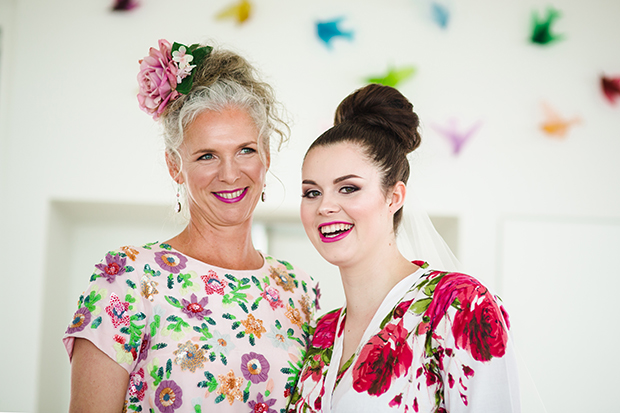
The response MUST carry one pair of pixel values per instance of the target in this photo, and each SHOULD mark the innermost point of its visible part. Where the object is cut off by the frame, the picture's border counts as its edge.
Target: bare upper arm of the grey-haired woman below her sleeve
(98, 383)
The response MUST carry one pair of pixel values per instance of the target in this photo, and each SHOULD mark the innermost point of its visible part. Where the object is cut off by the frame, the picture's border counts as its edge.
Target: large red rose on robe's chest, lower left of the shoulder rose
(386, 356)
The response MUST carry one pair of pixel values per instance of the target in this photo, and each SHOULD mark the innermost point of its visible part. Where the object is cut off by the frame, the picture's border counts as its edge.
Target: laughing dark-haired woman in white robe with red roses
(410, 338)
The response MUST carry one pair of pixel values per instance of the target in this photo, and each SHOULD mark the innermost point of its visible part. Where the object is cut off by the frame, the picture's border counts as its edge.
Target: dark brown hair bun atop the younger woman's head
(383, 107)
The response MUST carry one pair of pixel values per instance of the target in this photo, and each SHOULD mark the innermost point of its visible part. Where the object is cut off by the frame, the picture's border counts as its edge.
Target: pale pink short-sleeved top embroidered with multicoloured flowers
(194, 337)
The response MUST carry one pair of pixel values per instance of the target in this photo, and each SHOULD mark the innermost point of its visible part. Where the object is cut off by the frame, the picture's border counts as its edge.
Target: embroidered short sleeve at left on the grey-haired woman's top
(110, 313)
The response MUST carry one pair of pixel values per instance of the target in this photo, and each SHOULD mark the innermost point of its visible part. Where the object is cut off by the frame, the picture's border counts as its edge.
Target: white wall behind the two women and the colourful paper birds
(72, 138)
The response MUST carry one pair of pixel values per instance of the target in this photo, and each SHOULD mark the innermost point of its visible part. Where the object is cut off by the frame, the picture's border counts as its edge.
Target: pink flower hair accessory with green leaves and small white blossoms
(166, 73)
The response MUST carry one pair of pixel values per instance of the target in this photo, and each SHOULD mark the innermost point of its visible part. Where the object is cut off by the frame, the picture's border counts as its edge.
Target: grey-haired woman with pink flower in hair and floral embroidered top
(203, 321)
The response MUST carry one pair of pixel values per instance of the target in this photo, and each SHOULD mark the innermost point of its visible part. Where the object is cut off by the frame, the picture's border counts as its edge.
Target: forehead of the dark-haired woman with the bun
(333, 161)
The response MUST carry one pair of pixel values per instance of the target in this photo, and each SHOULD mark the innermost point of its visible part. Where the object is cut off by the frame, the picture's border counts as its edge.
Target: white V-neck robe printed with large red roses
(438, 343)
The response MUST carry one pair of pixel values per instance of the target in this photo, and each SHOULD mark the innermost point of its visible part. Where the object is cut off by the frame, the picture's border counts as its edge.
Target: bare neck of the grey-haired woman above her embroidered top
(225, 247)
